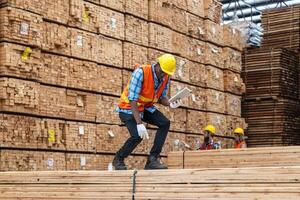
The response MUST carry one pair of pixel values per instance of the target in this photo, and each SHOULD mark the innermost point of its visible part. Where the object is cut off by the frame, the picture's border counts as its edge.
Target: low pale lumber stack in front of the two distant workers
(235, 158)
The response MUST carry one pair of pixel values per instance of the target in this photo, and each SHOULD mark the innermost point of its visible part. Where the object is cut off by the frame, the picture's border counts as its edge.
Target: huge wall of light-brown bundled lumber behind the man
(64, 65)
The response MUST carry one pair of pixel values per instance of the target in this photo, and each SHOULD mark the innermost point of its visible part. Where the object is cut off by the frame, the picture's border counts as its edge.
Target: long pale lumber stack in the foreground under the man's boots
(219, 183)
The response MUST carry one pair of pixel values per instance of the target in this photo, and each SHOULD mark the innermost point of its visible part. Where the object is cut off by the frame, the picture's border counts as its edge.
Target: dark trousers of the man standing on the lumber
(157, 119)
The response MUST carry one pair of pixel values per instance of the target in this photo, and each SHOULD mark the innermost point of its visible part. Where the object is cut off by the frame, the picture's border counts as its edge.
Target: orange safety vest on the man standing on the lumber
(147, 96)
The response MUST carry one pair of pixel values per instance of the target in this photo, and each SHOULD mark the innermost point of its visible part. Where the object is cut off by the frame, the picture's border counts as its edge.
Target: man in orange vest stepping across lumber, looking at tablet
(148, 85)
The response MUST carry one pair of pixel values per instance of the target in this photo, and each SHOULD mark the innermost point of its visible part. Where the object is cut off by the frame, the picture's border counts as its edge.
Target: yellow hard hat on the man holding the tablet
(167, 63)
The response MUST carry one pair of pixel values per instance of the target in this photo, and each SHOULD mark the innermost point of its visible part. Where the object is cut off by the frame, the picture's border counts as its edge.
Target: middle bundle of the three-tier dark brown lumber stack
(269, 73)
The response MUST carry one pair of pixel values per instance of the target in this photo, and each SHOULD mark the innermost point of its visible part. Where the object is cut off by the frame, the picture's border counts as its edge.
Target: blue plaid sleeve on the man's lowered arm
(135, 85)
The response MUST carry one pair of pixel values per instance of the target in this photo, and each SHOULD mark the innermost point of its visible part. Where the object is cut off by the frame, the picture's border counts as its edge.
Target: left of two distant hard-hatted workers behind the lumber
(208, 143)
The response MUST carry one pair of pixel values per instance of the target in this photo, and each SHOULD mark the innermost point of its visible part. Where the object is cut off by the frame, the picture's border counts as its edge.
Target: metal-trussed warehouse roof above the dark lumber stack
(250, 10)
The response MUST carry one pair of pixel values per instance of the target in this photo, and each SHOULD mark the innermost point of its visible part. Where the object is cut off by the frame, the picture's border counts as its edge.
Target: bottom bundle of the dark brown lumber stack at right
(272, 122)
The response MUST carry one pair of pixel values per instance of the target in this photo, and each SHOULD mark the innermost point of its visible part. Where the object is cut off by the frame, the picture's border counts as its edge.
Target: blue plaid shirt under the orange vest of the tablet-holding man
(135, 88)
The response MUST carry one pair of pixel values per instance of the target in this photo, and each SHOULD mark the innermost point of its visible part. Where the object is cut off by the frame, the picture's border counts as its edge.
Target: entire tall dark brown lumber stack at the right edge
(271, 74)
